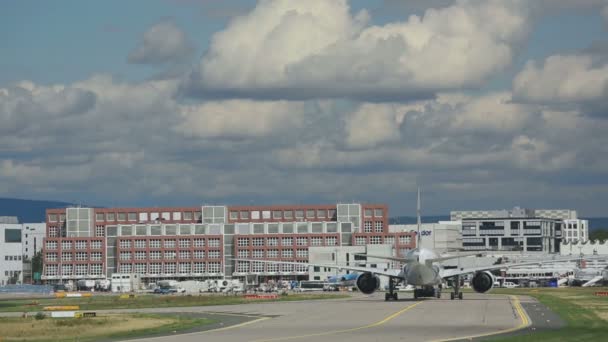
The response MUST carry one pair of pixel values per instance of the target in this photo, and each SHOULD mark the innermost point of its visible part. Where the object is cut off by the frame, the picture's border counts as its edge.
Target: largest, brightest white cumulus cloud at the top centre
(317, 48)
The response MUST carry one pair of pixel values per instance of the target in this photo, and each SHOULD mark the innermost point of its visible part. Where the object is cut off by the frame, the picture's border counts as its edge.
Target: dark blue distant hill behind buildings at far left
(28, 211)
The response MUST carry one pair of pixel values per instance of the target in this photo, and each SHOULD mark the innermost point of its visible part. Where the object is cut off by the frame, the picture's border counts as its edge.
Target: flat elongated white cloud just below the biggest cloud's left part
(240, 118)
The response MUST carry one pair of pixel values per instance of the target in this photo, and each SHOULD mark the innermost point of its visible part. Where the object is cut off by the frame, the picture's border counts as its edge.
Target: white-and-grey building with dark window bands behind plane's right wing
(518, 229)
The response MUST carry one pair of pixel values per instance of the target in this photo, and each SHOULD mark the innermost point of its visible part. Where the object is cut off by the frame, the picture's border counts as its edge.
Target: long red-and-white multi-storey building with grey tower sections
(201, 242)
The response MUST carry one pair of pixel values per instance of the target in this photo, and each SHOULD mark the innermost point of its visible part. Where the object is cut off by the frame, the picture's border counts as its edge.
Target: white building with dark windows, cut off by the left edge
(11, 263)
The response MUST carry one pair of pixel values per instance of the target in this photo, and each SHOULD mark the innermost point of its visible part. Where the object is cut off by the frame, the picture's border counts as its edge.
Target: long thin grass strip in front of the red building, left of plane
(101, 302)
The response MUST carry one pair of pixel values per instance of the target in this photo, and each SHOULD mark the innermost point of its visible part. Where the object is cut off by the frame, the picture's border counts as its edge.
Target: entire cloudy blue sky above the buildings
(484, 104)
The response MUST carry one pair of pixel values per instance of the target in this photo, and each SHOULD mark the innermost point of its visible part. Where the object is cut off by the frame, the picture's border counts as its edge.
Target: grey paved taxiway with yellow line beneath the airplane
(363, 318)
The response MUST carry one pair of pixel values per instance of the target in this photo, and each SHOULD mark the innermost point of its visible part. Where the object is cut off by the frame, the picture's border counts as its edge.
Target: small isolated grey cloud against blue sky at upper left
(161, 44)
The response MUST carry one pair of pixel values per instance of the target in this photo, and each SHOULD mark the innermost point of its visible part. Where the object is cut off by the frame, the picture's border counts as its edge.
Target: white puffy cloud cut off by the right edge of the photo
(562, 79)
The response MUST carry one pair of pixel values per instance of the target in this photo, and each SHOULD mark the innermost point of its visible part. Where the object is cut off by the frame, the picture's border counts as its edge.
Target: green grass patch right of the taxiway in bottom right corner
(585, 314)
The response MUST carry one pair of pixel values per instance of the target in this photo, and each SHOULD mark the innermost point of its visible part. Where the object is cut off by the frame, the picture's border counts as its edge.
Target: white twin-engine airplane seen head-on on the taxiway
(422, 270)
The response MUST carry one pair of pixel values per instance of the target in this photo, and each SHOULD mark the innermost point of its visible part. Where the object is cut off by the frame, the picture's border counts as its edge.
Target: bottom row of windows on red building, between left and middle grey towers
(196, 267)
